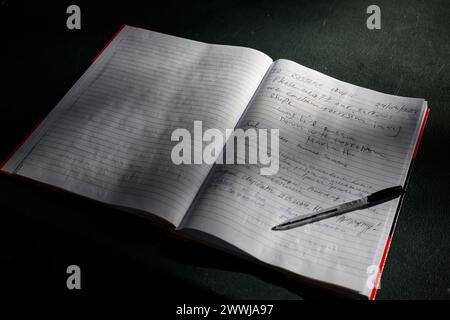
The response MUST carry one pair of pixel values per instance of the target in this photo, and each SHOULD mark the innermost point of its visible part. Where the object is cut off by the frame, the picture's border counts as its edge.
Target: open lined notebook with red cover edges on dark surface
(108, 139)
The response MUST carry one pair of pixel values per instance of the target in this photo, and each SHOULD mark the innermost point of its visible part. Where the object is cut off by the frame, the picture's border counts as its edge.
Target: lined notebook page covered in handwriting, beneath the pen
(338, 142)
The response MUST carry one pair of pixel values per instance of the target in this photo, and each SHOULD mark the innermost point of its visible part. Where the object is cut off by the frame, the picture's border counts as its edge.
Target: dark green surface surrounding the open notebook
(42, 232)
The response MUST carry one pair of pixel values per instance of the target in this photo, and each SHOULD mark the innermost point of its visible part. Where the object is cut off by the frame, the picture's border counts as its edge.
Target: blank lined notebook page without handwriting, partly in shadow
(109, 138)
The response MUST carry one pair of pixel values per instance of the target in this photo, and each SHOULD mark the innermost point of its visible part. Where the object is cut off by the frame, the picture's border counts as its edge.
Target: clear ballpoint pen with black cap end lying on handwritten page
(366, 202)
